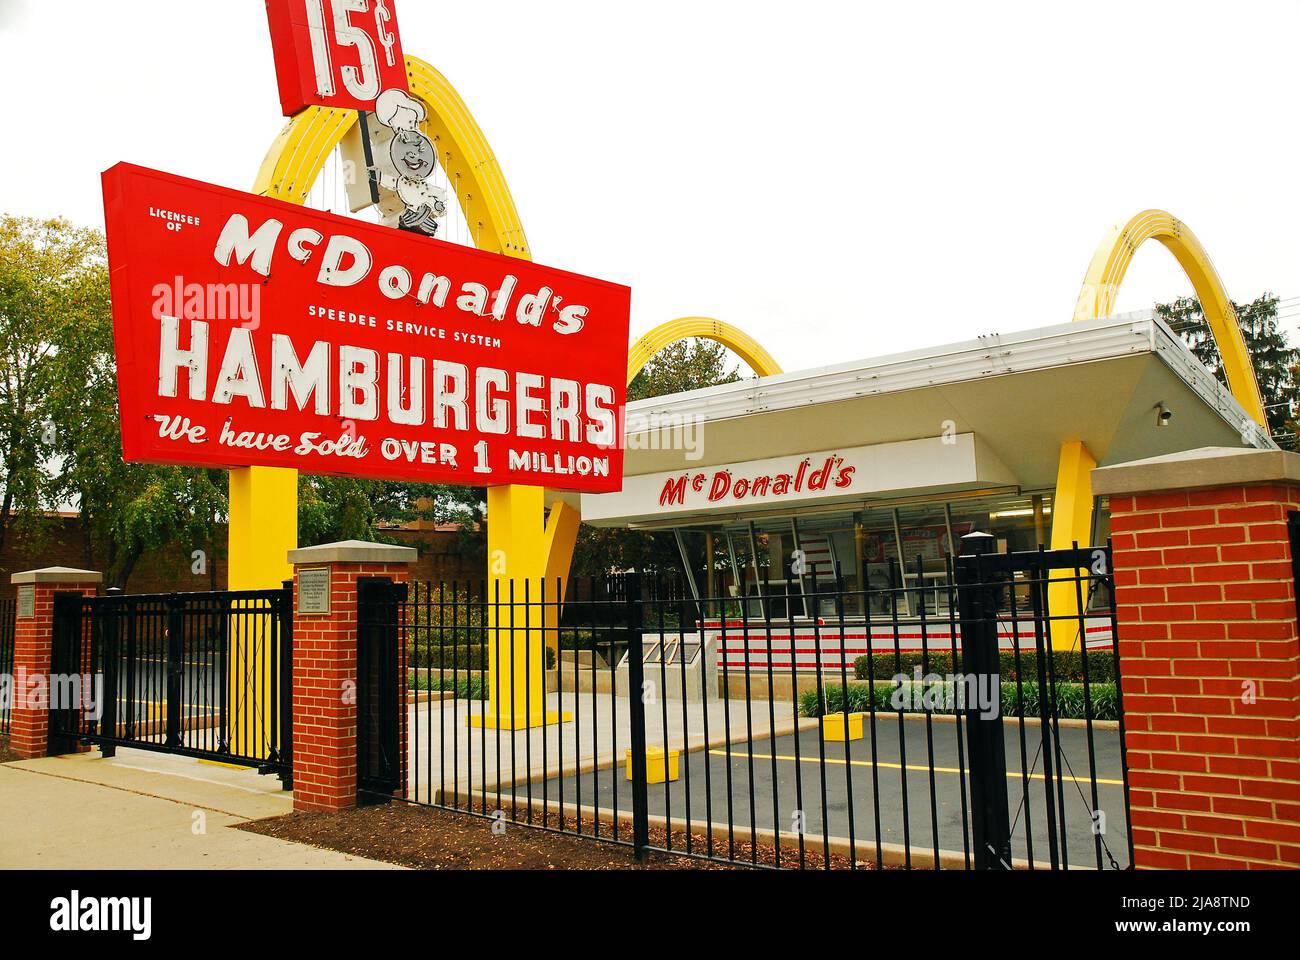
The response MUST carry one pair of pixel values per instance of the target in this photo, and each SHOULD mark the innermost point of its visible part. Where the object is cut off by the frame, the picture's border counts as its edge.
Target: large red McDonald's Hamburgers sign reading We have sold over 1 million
(253, 332)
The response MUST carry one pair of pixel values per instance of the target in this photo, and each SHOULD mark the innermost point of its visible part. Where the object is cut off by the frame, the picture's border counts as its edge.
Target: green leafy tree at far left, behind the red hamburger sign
(59, 408)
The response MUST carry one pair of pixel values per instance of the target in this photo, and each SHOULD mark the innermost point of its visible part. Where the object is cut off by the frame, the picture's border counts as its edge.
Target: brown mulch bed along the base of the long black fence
(431, 838)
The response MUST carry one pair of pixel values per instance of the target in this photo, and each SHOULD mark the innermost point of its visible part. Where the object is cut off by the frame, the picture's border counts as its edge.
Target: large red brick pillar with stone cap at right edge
(1210, 651)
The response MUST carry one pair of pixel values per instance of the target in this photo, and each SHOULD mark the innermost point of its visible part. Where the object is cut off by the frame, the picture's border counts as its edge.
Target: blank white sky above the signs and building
(840, 180)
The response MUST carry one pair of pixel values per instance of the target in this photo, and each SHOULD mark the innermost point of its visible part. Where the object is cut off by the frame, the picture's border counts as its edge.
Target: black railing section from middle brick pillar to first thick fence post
(487, 746)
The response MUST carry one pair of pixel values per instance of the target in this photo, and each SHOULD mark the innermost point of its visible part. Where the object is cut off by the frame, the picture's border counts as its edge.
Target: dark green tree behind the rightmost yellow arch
(1273, 358)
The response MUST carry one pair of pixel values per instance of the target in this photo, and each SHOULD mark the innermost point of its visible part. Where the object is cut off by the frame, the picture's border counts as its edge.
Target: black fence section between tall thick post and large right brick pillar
(1015, 590)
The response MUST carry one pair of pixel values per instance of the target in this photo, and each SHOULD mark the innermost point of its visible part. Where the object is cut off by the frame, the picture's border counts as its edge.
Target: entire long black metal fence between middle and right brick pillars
(972, 719)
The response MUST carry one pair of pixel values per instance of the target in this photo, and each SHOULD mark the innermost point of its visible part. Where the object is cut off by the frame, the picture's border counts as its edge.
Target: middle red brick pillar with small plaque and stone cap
(326, 667)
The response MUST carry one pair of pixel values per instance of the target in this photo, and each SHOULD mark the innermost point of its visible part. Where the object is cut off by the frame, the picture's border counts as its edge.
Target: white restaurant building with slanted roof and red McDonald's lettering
(873, 472)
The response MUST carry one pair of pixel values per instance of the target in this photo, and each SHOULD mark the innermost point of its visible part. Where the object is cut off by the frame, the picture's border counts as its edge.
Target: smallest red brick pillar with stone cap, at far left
(33, 635)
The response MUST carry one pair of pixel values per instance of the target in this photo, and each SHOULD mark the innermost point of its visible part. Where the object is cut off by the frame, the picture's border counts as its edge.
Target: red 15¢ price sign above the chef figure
(336, 53)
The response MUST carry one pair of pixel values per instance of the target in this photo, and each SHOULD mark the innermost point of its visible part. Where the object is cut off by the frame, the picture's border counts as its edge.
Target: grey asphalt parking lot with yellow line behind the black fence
(909, 789)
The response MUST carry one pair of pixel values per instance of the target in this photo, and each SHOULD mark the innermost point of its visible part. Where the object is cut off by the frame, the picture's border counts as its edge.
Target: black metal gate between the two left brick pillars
(200, 674)
